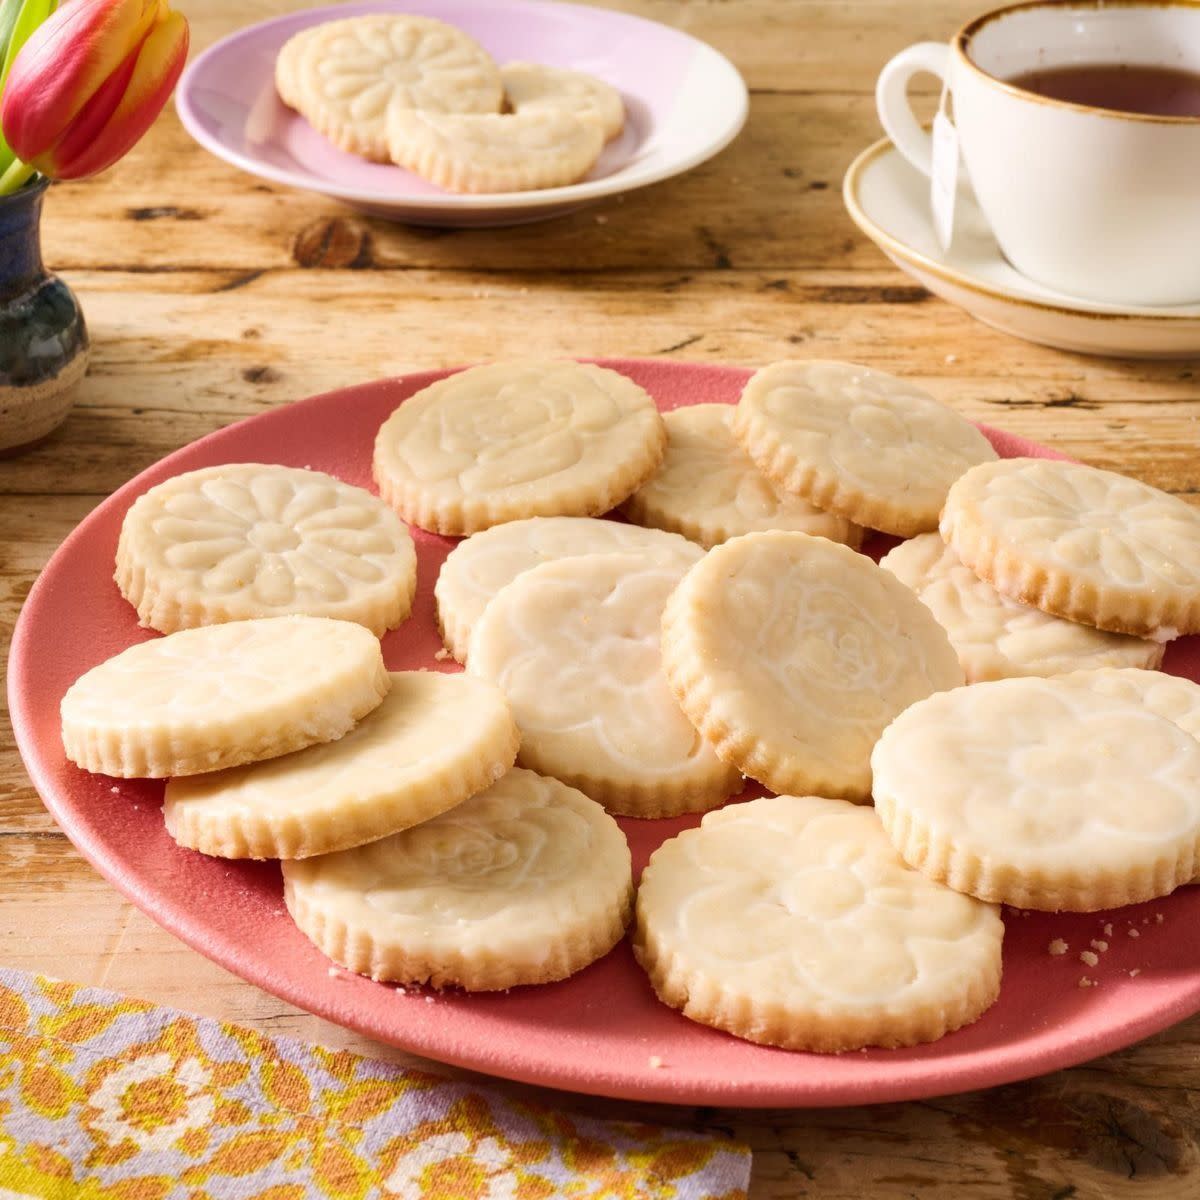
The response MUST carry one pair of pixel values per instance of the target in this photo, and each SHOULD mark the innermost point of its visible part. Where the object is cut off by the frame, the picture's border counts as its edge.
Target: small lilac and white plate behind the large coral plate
(683, 101)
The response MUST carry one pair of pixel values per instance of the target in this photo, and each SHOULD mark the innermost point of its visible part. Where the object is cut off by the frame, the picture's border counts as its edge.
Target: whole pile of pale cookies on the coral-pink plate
(645, 669)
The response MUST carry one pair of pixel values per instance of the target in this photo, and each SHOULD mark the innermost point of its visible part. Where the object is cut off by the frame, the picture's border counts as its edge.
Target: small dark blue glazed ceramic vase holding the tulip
(44, 341)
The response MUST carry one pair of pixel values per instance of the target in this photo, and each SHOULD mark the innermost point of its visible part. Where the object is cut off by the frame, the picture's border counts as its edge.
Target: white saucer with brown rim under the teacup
(889, 200)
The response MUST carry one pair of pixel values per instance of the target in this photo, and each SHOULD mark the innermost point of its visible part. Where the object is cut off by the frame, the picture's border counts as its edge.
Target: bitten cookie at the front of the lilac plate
(495, 153)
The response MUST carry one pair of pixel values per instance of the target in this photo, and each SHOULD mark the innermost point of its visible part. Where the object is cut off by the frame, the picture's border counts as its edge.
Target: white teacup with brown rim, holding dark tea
(1093, 202)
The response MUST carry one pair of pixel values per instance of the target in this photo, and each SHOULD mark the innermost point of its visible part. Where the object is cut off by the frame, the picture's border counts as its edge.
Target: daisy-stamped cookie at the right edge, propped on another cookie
(1079, 543)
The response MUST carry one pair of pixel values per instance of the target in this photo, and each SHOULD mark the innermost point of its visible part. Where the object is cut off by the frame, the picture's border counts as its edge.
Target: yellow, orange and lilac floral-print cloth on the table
(110, 1099)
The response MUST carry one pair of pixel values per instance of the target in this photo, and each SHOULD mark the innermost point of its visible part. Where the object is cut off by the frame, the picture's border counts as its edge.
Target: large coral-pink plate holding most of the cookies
(598, 1031)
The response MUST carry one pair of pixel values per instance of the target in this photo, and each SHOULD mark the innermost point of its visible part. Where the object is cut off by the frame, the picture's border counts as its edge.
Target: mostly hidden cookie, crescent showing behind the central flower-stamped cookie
(484, 563)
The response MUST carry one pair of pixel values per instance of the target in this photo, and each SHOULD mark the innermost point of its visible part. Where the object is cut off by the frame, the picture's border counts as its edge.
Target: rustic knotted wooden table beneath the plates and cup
(212, 296)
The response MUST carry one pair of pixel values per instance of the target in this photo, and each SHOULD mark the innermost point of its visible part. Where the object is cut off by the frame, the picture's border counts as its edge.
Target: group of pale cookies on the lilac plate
(427, 97)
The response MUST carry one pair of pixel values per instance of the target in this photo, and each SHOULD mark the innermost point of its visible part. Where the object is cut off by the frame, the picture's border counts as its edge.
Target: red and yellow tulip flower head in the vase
(88, 83)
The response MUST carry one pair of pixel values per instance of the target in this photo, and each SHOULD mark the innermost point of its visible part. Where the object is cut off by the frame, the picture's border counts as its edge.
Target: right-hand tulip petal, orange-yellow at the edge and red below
(124, 109)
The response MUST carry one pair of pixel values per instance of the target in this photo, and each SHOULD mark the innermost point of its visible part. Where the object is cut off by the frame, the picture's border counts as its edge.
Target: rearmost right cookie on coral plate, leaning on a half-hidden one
(865, 445)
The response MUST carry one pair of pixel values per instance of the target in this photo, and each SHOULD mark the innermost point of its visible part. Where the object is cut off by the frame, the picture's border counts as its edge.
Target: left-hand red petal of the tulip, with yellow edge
(64, 64)
